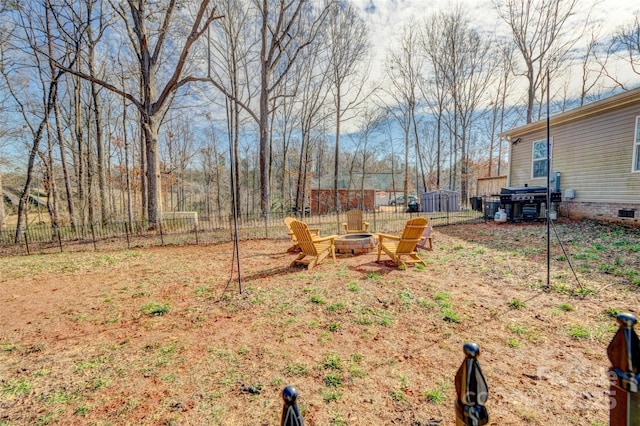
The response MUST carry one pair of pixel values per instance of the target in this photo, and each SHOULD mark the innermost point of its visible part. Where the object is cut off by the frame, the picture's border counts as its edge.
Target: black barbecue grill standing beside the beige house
(526, 202)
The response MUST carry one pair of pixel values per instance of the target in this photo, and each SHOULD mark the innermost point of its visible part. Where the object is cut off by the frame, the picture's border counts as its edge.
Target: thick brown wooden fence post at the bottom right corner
(624, 374)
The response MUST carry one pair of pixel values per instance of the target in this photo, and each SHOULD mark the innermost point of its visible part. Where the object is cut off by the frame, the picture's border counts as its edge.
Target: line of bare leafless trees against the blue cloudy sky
(120, 110)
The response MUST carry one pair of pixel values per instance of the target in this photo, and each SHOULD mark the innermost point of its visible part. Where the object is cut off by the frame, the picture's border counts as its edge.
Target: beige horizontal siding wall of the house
(593, 151)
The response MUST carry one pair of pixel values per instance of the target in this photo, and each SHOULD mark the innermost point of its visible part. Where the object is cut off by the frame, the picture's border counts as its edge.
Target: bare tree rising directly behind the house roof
(539, 29)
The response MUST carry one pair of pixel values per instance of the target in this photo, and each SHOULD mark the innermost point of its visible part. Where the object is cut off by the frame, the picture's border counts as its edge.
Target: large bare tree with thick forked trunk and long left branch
(147, 26)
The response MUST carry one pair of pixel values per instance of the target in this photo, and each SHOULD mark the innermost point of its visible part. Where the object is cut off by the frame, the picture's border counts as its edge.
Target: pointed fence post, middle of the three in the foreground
(472, 390)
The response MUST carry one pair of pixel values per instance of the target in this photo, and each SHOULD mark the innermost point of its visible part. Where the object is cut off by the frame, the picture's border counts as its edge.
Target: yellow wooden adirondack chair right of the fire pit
(402, 249)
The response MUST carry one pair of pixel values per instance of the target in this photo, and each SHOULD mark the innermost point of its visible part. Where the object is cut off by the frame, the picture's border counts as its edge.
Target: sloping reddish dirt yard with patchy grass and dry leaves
(162, 336)
